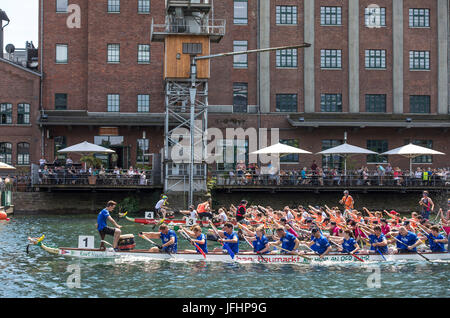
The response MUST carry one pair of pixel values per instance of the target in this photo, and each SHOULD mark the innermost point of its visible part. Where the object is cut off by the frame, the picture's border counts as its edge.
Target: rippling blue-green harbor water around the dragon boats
(39, 274)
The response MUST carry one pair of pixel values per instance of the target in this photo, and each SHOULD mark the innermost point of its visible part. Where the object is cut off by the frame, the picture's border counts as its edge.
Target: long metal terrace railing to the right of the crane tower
(223, 178)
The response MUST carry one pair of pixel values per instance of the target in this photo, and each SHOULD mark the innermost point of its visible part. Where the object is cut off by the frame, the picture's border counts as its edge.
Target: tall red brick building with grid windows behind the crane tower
(381, 74)
